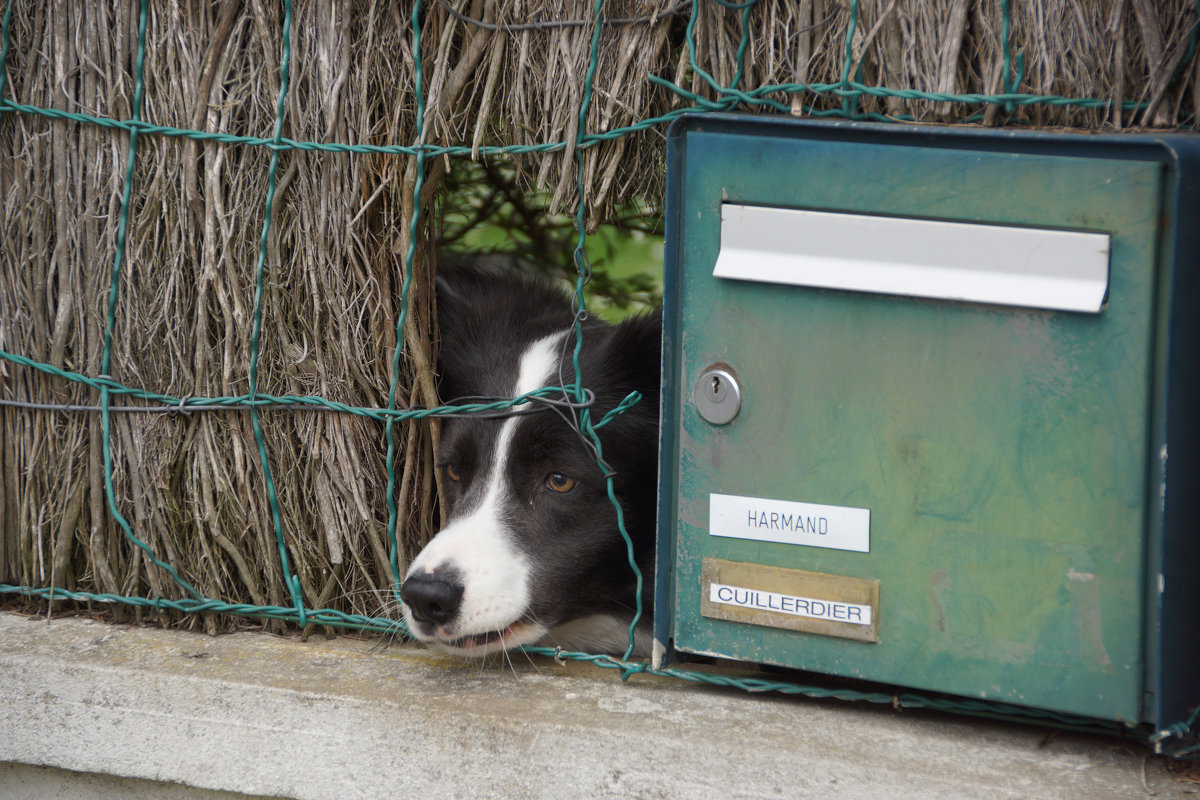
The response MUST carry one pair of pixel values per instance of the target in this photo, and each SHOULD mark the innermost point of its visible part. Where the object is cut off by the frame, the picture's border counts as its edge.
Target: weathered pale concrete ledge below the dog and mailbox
(268, 717)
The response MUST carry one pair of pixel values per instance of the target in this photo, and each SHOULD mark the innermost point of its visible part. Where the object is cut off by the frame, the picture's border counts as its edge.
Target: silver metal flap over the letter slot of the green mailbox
(1034, 268)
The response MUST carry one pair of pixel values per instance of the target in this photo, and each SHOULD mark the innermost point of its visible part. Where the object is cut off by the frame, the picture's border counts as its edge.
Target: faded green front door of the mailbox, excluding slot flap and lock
(1001, 453)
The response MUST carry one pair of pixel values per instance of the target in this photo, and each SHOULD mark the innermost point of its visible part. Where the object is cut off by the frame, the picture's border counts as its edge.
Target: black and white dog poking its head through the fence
(532, 554)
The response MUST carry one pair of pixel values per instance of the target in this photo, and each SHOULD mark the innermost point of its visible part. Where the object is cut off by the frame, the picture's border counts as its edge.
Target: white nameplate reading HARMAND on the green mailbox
(839, 528)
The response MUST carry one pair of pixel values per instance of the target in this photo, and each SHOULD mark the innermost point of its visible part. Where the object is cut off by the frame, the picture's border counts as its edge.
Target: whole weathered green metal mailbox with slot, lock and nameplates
(931, 411)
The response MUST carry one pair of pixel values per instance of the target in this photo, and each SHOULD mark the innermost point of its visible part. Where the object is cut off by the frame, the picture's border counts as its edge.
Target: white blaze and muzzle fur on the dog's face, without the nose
(479, 548)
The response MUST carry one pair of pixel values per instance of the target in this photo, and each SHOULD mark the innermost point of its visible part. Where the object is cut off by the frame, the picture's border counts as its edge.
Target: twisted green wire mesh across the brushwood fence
(849, 91)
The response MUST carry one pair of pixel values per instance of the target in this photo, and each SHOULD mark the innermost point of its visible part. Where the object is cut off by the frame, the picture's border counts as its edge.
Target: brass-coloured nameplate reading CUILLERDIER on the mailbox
(796, 600)
